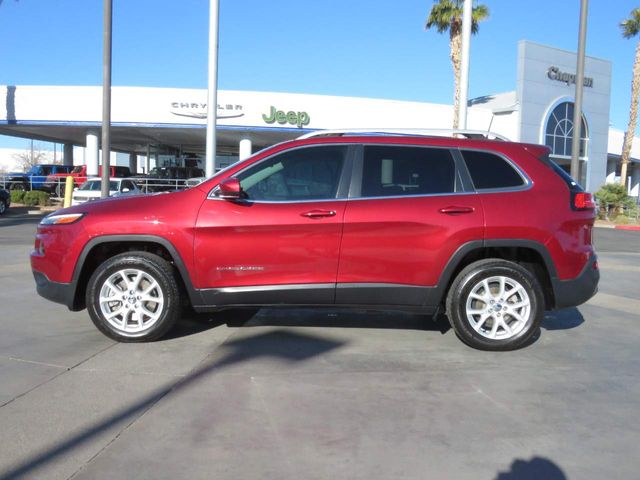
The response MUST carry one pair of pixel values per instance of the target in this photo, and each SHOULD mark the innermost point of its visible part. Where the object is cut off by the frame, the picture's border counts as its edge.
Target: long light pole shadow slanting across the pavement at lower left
(286, 346)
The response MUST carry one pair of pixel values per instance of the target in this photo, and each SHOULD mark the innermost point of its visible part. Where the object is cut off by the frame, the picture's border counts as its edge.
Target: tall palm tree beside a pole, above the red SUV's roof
(446, 15)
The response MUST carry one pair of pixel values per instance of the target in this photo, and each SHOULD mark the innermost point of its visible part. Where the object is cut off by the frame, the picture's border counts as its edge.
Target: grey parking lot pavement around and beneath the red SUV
(326, 394)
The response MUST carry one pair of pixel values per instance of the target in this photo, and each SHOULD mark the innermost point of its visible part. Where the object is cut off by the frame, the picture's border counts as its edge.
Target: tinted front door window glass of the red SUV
(311, 173)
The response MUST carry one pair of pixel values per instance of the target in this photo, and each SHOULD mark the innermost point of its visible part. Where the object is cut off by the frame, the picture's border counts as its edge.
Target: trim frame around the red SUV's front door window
(343, 182)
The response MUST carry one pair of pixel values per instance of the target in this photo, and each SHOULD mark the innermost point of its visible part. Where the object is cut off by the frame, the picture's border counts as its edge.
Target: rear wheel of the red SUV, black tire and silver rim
(496, 312)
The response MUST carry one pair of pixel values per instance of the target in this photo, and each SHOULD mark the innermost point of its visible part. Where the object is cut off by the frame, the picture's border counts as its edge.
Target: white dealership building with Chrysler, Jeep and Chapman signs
(166, 126)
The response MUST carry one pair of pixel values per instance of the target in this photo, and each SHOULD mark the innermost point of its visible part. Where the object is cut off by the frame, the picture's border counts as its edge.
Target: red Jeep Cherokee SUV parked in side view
(493, 232)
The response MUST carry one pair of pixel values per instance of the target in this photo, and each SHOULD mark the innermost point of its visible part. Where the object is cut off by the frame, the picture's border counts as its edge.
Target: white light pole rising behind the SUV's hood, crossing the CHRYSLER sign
(212, 89)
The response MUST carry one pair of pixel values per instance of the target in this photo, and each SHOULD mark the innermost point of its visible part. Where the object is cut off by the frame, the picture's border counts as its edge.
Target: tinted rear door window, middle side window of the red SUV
(390, 171)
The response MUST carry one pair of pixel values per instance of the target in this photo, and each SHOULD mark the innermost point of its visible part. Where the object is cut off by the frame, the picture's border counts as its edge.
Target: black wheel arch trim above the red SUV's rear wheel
(437, 294)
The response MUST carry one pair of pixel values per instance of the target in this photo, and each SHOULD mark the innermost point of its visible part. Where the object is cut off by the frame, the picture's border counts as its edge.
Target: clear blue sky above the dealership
(367, 48)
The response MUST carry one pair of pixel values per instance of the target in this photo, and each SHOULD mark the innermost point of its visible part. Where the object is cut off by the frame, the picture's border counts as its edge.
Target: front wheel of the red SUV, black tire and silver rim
(152, 267)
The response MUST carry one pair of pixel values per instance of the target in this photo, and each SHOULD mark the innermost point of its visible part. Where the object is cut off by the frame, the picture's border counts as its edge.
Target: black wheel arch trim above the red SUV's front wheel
(194, 294)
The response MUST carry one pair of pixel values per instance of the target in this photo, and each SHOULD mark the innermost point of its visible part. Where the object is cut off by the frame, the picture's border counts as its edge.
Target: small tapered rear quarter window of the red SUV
(488, 171)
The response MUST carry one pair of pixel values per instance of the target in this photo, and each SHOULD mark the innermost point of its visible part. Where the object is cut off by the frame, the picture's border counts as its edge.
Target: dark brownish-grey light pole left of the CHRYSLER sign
(106, 99)
